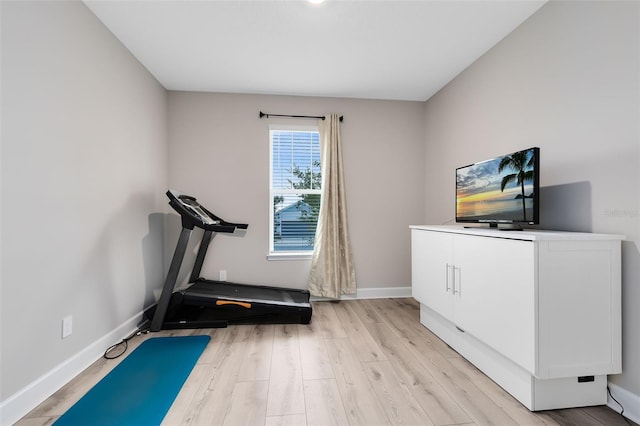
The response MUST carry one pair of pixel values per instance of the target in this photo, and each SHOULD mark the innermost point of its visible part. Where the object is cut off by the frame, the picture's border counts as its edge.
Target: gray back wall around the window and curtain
(219, 152)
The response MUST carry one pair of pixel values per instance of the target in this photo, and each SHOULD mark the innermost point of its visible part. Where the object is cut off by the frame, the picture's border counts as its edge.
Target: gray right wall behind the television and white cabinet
(567, 80)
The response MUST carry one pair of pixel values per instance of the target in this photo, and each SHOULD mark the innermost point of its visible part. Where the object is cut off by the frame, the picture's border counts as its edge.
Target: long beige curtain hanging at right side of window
(332, 272)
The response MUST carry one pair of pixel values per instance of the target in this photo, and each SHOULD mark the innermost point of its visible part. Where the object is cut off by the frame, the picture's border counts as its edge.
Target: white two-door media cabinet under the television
(539, 312)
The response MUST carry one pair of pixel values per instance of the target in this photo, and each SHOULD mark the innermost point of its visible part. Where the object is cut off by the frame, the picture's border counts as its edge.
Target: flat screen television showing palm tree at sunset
(500, 190)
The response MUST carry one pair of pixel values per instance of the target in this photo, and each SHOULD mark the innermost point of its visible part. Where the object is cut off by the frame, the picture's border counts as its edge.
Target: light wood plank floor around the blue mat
(363, 362)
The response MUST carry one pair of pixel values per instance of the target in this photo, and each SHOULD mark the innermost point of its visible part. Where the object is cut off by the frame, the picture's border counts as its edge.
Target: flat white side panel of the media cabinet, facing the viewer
(579, 303)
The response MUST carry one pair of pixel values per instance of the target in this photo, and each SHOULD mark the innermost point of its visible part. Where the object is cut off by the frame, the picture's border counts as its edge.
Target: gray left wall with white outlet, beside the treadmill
(84, 167)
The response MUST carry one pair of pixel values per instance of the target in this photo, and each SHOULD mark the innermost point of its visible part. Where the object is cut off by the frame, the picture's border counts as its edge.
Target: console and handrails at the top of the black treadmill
(195, 214)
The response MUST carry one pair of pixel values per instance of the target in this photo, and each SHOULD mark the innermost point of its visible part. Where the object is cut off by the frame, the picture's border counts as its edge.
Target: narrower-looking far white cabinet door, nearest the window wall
(431, 268)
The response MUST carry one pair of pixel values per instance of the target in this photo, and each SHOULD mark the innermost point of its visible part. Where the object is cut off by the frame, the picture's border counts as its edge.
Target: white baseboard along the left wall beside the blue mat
(22, 402)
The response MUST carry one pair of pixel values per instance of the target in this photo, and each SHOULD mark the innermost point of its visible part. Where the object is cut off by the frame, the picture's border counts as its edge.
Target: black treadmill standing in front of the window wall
(214, 304)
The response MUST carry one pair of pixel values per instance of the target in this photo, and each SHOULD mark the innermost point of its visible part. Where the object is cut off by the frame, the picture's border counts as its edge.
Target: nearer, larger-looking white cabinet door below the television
(495, 294)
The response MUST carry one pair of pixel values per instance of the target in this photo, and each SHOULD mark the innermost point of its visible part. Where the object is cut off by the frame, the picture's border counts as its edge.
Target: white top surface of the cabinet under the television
(527, 234)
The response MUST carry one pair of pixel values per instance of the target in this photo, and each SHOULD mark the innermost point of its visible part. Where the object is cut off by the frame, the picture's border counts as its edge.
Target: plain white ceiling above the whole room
(402, 50)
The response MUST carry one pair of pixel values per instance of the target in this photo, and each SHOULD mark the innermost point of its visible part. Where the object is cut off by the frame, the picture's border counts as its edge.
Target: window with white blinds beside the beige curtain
(295, 189)
